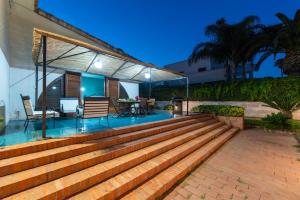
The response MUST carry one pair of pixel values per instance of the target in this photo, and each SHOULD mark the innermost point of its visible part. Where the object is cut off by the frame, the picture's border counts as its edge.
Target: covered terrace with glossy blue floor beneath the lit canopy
(86, 70)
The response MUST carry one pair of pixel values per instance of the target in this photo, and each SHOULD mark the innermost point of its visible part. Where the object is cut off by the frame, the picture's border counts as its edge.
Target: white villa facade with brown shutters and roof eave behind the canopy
(18, 71)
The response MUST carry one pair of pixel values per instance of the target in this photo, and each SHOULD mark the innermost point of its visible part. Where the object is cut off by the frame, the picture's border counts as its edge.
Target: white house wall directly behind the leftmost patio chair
(22, 81)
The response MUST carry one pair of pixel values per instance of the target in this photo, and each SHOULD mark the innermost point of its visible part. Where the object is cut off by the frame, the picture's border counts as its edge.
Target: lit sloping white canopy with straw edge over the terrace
(74, 55)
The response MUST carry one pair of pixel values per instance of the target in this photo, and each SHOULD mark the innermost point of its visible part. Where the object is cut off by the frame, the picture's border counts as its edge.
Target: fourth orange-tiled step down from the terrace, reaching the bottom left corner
(79, 181)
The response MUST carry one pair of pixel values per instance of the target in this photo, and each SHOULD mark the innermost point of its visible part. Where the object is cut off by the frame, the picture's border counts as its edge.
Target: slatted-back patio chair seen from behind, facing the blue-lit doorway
(94, 107)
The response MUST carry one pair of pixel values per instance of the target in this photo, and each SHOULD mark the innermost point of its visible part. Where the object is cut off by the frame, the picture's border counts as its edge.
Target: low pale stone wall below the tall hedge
(252, 109)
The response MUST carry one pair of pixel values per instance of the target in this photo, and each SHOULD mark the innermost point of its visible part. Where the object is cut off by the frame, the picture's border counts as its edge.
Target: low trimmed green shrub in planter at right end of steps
(223, 110)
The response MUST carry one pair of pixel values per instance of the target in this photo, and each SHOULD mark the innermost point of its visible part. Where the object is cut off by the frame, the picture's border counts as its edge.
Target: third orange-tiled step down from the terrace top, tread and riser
(17, 182)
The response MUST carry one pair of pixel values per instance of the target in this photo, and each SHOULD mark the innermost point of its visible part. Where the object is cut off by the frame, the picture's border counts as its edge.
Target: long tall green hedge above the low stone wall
(243, 90)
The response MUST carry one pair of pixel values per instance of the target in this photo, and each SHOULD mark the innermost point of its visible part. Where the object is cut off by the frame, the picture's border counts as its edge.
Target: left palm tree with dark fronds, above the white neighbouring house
(229, 44)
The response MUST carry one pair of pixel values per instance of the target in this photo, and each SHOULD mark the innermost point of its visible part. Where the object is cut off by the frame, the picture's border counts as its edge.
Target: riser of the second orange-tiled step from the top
(28, 164)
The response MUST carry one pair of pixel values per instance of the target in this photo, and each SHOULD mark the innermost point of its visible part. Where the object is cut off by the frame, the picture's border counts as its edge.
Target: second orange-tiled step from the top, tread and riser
(28, 161)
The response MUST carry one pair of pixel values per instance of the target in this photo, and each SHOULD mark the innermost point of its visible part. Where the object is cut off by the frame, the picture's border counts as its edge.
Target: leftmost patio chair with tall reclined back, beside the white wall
(32, 115)
